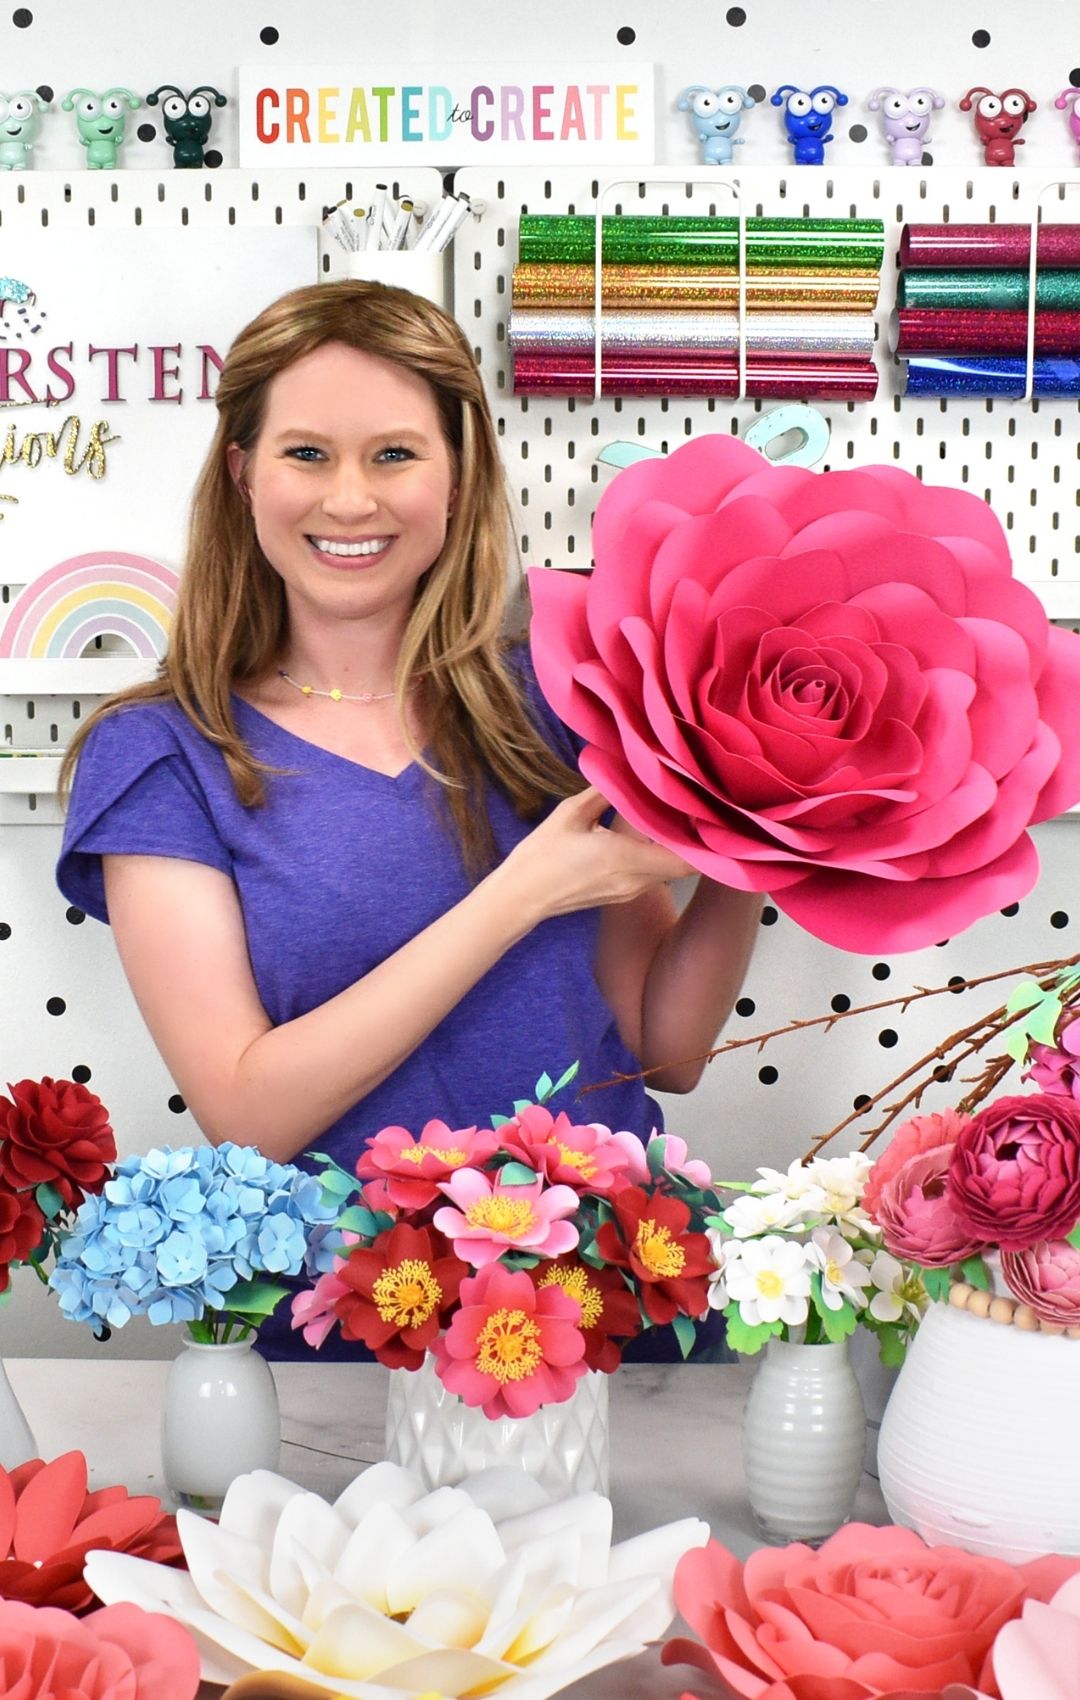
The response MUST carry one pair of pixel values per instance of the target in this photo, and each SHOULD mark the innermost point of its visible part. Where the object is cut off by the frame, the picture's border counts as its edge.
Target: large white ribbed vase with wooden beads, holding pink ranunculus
(981, 1444)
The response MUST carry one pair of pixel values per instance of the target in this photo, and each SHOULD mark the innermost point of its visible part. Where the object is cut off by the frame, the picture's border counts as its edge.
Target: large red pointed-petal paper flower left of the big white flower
(48, 1524)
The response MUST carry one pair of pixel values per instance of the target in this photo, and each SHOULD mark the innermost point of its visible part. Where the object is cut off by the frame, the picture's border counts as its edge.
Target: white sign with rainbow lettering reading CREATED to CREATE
(353, 115)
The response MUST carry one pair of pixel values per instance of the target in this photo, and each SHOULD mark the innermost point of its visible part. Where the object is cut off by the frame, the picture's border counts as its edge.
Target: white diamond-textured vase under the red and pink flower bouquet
(564, 1448)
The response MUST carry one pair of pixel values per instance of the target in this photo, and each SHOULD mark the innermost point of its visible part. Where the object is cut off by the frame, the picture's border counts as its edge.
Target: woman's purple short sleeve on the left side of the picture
(135, 795)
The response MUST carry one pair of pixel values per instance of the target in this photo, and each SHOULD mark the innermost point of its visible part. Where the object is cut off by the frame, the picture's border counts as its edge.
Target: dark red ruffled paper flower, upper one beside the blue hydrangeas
(55, 1131)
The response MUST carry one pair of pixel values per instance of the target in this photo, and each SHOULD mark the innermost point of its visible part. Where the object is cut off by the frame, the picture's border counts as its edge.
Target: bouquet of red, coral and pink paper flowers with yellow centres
(518, 1255)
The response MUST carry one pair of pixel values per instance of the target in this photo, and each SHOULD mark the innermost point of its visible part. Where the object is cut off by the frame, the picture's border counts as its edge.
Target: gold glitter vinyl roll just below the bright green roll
(683, 288)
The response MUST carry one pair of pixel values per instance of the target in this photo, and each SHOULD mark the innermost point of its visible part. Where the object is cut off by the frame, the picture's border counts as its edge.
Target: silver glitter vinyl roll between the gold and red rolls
(814, 336)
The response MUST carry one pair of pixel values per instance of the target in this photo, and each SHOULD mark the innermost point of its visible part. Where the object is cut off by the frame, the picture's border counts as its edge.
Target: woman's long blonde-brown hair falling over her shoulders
(230, 626)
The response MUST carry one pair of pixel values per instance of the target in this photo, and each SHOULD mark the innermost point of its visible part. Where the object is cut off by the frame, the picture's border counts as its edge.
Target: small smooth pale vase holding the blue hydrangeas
(220, 1420)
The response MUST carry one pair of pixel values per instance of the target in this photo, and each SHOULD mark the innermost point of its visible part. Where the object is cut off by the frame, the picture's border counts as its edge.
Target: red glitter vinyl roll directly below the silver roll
(666, 375)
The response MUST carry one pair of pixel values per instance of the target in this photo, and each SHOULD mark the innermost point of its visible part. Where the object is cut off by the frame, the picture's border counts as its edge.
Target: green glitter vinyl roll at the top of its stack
(657, 241)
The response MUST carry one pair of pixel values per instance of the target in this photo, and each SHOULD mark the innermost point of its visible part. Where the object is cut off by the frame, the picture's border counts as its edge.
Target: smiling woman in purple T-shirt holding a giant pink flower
(351, 870)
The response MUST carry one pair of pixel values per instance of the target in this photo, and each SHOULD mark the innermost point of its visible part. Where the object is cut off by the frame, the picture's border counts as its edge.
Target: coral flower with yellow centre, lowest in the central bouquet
(511, 1347)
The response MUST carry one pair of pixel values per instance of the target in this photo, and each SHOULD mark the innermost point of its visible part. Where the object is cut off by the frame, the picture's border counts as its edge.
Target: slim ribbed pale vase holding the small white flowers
(804, 1441)
